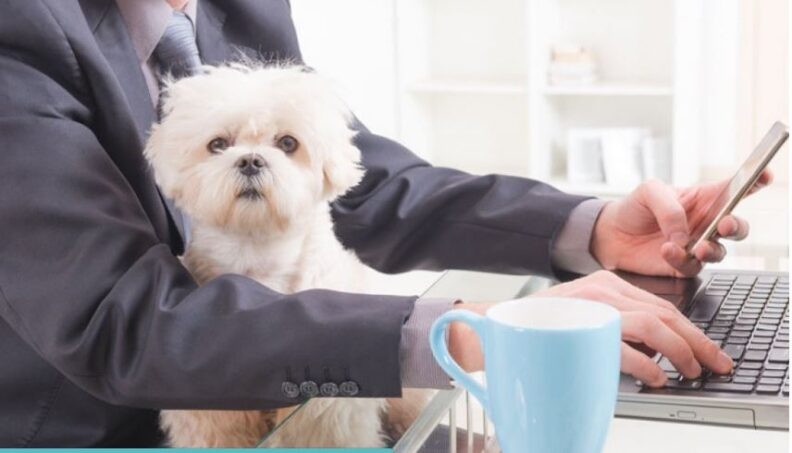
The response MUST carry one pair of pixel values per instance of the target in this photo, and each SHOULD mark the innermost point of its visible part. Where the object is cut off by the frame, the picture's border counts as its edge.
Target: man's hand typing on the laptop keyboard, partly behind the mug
(646, 320)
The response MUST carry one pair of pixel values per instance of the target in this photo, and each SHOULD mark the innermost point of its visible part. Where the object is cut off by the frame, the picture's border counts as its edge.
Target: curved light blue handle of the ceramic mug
(447, 363)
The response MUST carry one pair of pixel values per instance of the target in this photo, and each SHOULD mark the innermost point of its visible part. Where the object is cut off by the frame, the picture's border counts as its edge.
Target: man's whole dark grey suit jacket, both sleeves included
(100, 325)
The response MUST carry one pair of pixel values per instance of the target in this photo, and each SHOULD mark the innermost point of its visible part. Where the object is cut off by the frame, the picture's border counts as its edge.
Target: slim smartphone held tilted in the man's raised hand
(739, 186)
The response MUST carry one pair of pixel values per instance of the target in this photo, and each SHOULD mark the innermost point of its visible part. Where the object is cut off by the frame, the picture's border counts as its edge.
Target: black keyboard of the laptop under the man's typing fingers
(748, 316)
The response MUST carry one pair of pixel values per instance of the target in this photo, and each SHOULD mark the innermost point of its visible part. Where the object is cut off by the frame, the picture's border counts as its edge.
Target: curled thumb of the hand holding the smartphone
(663, 202)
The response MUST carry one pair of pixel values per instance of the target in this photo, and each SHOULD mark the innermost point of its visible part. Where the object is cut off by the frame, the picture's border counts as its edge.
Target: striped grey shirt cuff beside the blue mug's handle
(418, 366)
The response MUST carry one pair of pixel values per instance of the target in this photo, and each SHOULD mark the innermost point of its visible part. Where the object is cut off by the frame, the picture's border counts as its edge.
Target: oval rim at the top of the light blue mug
(608, 313)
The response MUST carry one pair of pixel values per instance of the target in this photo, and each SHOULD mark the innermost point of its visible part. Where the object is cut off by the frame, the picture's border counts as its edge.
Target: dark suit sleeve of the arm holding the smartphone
(407, 215)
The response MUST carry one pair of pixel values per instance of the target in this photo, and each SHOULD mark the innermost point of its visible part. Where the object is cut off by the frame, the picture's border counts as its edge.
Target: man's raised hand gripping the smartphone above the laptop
(647, 231)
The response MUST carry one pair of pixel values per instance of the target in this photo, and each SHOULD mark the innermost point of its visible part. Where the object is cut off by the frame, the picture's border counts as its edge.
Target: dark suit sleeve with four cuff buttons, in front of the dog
(86, 282)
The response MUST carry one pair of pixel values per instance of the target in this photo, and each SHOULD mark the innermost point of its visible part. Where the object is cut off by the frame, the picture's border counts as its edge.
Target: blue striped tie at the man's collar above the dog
(177, 52)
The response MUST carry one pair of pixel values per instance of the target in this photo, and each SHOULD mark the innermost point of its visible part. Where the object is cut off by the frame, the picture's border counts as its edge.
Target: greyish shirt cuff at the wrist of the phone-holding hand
(572, 248)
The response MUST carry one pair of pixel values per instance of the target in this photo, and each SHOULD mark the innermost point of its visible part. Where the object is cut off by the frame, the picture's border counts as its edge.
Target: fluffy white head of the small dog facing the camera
(253, 150)
